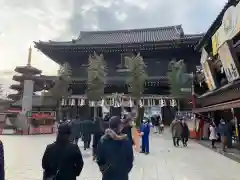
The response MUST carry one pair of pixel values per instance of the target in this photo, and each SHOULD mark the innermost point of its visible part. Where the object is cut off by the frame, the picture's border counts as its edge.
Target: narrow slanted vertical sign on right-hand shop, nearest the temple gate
(207, 70)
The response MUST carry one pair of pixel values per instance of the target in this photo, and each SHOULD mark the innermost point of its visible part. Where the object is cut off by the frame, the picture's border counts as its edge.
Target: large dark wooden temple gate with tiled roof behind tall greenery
(157, 46)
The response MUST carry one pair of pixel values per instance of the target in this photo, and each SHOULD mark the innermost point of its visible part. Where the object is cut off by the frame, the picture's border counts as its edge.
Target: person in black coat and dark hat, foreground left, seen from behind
(62, 160)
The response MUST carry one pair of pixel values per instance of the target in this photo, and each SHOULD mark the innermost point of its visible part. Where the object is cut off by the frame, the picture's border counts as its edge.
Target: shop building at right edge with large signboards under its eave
(219, 75)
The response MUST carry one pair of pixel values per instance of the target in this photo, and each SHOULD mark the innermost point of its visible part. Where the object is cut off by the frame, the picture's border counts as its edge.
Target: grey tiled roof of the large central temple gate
(131, 36)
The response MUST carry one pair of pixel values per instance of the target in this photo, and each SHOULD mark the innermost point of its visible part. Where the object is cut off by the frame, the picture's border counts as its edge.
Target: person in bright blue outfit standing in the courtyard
(145, 130)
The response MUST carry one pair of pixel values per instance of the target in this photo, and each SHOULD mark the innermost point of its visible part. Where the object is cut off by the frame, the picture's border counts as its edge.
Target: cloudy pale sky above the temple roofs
(25, 21)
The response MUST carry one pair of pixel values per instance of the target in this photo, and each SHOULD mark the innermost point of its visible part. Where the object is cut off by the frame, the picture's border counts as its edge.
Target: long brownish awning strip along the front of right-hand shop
(221, 106)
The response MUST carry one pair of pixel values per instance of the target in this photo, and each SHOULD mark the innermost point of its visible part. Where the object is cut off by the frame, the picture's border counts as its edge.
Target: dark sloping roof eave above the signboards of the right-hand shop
(215, 25)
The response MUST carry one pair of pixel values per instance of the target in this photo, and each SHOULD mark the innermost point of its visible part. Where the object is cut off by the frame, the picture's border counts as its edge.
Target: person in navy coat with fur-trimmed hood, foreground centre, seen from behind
(114, 154)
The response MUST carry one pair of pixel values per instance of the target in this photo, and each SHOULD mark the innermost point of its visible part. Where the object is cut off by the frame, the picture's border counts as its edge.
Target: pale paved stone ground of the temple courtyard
(23, 161)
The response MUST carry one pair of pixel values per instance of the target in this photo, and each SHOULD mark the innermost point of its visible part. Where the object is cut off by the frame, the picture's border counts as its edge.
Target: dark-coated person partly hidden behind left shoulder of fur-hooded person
(98, 132)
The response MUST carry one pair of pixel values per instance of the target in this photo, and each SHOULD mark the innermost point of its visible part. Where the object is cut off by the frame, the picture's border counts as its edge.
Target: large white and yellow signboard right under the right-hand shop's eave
(229, 28)
